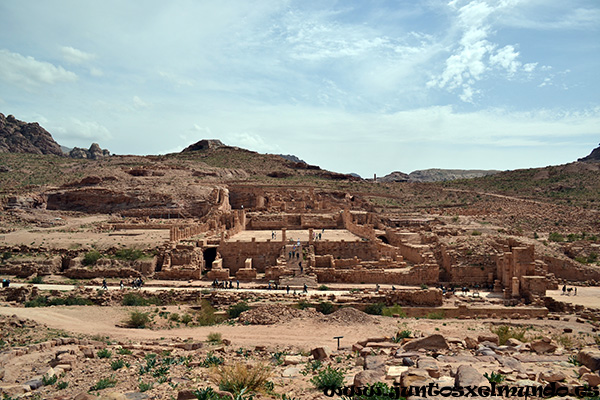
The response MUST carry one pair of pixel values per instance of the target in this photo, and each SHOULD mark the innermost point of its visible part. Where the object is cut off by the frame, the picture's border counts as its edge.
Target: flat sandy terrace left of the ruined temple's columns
(75, 232)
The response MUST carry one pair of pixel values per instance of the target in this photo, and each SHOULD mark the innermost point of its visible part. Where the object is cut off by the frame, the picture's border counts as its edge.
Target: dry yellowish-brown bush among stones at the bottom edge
(241, 378)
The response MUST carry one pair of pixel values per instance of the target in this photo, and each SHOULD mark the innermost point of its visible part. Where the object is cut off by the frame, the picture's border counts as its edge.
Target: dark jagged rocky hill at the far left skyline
(22, 137)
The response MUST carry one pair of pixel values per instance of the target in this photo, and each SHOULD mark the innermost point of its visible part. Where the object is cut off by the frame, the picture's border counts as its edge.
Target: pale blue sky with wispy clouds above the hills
(352, 86)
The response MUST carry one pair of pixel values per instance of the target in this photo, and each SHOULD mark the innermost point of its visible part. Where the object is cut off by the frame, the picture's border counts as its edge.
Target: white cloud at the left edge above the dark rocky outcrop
(28, 72)
